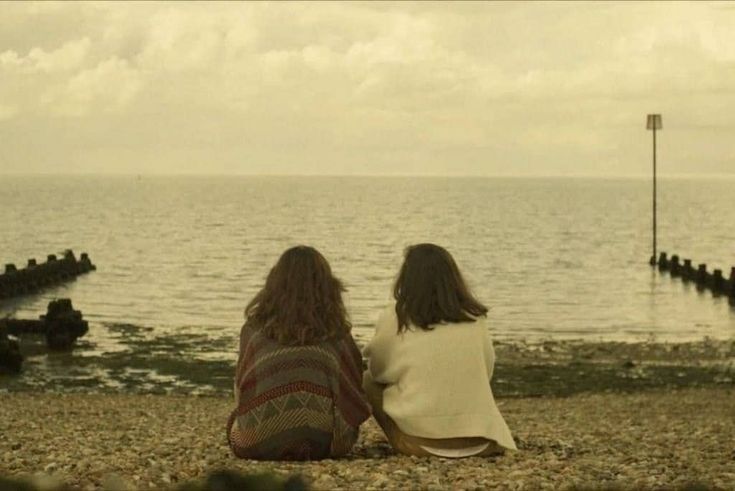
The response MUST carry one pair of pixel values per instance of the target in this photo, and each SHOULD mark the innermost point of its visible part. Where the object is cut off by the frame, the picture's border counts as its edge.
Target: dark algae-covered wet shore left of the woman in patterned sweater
(143, 364)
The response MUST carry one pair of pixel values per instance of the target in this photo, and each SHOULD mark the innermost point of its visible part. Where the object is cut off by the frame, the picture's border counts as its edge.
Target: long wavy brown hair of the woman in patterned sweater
(301, 302)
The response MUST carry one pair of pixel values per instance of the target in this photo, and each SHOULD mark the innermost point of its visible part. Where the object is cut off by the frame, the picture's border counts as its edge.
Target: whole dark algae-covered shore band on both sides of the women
(193, 363)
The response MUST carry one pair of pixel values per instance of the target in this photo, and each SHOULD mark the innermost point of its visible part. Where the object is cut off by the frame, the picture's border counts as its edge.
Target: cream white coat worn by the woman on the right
(438, 381)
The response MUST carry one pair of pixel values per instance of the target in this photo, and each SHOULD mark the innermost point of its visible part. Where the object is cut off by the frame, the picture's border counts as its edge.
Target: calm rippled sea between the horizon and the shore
(553, 258)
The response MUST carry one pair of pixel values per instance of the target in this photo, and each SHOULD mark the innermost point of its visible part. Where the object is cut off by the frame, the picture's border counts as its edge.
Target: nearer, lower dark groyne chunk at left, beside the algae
(61, 326)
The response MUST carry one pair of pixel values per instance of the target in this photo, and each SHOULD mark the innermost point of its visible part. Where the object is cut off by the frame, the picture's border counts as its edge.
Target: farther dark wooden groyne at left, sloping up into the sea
(35, 276)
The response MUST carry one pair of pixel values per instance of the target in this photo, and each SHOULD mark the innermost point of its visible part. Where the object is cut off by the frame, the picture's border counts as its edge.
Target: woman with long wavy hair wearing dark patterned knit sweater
(298, 381)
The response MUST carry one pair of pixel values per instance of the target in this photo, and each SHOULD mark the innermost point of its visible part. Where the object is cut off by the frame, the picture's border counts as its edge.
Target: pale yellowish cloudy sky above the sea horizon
(478, 89)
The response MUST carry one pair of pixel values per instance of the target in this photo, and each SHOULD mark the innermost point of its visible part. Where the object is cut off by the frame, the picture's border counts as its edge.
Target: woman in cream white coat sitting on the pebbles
(430, 364)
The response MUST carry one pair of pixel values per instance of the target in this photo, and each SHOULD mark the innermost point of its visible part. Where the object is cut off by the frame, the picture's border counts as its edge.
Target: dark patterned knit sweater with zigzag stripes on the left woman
(296, 402)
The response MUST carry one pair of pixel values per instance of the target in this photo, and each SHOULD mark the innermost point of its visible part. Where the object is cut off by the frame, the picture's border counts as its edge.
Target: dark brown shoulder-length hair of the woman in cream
(430, 289)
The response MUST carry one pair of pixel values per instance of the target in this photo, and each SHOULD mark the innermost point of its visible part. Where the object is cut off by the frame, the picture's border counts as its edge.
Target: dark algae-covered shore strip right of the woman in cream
(565, 368)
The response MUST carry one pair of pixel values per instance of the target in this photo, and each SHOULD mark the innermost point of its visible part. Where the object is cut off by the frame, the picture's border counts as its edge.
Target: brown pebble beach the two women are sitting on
(654, 439)
